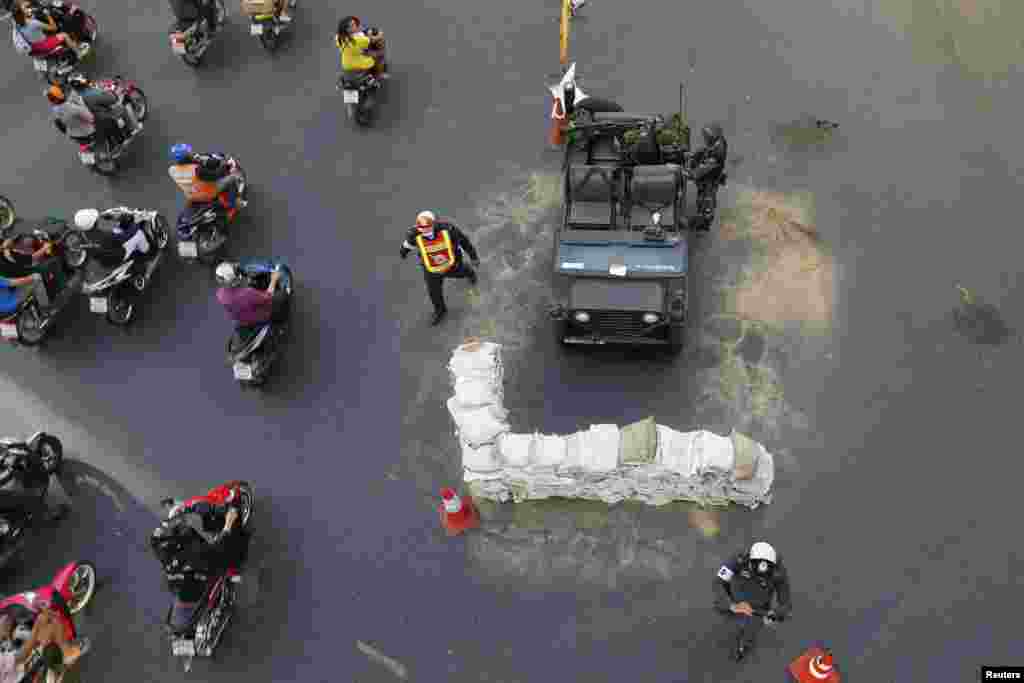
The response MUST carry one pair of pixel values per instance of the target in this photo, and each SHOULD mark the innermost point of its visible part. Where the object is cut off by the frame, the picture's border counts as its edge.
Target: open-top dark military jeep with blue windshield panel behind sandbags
(622, 251)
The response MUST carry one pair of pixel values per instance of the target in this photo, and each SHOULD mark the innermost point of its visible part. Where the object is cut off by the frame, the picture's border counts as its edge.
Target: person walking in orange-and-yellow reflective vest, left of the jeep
(441, 245)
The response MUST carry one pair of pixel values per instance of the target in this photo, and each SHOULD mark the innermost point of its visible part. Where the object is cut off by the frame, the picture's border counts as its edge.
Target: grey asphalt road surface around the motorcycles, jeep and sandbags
(895, 482)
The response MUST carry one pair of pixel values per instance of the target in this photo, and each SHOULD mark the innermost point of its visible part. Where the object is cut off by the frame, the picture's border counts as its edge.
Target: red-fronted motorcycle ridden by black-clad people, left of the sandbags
(196, 627)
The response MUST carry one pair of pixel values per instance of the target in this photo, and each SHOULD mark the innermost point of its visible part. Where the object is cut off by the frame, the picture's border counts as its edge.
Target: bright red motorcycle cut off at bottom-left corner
(68, 594)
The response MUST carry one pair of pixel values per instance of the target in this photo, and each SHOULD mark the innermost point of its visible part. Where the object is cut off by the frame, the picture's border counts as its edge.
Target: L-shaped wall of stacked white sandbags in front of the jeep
(645, 462)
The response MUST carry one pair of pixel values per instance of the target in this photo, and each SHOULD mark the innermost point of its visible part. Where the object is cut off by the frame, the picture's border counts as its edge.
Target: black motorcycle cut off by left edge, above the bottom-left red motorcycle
(29, 464)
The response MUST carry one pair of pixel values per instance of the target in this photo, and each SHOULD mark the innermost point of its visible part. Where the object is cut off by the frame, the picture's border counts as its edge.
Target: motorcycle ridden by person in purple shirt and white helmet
(253, 351)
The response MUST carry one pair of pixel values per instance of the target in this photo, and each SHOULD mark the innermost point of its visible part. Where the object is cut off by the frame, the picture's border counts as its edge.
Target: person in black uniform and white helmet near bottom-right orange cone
(749, 583)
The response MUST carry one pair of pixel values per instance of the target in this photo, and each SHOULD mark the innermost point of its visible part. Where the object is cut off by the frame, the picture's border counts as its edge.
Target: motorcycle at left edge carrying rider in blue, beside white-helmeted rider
(25, 321)
